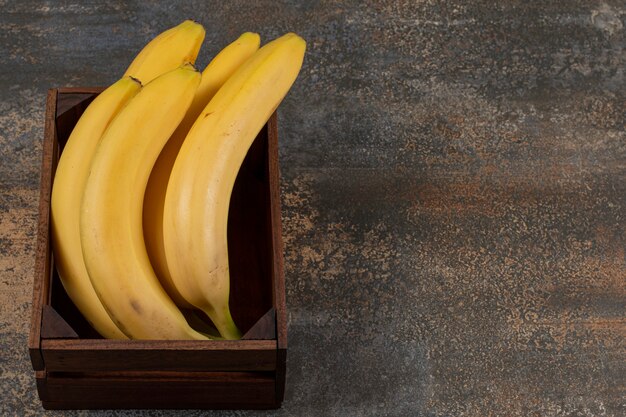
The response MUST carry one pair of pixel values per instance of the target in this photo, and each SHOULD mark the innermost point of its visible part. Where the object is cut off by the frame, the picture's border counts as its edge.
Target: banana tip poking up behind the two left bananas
(167, 51)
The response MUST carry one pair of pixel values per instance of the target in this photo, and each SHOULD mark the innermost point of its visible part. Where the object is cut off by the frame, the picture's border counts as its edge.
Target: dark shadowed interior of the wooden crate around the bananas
(249, 234)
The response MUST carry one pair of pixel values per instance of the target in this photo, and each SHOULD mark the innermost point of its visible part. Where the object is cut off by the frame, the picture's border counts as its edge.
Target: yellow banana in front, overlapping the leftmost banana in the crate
(111, 212)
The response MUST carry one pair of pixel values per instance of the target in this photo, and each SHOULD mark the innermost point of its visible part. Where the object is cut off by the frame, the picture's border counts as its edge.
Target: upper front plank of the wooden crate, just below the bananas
(88, 355)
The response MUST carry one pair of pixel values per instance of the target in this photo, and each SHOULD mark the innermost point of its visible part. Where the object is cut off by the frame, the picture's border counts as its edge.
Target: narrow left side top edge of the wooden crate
(42, 253)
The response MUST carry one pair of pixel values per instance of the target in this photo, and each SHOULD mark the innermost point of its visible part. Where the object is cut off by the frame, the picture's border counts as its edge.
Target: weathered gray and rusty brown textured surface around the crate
(453, 188)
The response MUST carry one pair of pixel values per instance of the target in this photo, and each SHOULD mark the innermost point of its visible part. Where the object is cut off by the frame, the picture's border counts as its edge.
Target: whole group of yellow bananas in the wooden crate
(141, 193)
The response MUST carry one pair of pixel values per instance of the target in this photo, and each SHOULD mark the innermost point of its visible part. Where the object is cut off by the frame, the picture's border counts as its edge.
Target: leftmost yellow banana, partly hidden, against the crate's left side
(67, 191)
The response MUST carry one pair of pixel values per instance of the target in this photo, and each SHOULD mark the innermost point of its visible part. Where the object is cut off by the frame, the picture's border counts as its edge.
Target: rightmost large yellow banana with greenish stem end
(198, 193)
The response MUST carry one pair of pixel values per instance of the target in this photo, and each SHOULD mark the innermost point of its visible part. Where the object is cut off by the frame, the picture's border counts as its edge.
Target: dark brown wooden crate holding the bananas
(77, 369)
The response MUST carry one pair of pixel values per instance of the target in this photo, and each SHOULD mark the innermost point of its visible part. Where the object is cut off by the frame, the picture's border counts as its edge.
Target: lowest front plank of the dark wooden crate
(158, 390)
